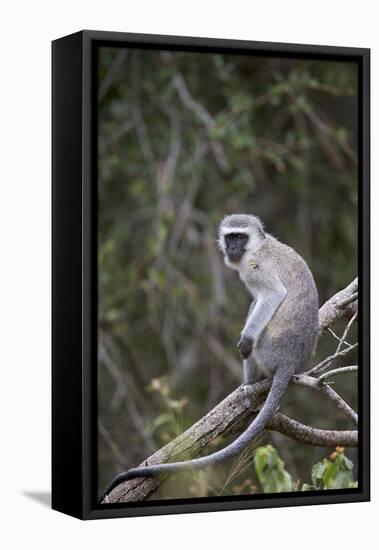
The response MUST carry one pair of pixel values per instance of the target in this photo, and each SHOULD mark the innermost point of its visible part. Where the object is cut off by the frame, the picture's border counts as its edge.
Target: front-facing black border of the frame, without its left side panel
(90, 510)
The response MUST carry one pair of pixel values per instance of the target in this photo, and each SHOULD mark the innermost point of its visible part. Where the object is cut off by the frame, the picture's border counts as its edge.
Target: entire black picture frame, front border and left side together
(74, 274)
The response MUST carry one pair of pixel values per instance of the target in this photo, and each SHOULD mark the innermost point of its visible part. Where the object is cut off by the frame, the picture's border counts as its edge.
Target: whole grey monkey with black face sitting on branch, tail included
(280, 333)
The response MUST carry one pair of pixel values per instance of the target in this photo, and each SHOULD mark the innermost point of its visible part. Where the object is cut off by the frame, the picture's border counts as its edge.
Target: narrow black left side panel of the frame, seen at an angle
(67, 319)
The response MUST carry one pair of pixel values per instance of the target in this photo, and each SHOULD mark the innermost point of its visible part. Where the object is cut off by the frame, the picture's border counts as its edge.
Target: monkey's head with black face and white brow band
(238, 234)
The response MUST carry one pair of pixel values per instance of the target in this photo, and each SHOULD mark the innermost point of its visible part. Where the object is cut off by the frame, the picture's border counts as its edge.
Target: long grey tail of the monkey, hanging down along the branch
(278, 387)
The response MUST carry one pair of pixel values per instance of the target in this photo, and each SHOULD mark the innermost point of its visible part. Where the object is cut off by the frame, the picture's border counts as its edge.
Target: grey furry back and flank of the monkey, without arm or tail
(291, 335)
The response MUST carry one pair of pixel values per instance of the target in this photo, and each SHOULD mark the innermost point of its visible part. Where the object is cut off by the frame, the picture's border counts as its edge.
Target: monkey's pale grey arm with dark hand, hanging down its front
(266, 304)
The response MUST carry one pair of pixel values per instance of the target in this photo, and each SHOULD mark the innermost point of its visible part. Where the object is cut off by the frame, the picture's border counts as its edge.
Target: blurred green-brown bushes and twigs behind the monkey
(185, 138)
